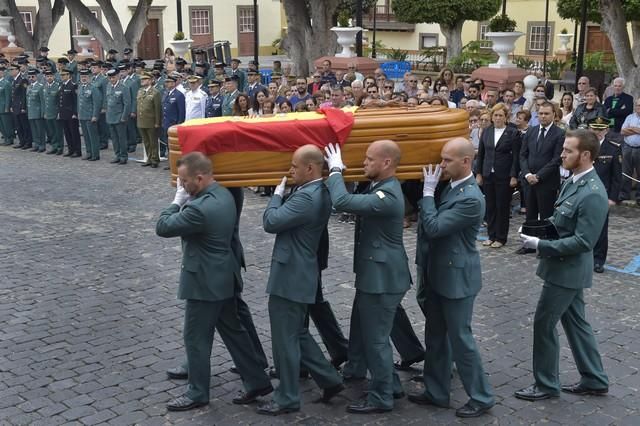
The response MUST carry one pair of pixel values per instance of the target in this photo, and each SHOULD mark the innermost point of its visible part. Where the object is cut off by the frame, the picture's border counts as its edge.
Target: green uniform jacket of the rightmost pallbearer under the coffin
(451, 230)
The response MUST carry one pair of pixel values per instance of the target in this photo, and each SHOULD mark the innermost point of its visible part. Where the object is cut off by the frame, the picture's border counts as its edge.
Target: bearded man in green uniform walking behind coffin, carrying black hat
(566, 266)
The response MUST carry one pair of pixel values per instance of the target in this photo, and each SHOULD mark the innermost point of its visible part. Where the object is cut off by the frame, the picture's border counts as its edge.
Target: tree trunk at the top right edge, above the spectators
(614, 25)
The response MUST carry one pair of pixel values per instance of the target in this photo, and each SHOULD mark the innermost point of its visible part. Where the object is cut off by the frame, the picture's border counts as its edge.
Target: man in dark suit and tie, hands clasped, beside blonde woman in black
(539, 163)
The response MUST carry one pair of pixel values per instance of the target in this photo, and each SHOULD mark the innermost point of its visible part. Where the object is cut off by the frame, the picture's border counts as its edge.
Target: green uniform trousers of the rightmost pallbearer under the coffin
(449, 337)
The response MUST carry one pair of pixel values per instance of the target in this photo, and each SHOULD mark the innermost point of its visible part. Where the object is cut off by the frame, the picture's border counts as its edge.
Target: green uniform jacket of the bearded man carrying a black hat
(579, 216)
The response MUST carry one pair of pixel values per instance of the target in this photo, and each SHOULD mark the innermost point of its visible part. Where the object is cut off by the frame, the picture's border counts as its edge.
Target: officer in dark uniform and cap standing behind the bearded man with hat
(608, 166)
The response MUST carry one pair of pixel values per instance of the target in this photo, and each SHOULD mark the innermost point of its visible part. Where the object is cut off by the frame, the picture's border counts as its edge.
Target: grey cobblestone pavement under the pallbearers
(89, 319)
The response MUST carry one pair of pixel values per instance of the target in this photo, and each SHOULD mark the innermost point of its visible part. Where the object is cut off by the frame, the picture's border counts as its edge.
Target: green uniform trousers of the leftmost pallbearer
(201, 318)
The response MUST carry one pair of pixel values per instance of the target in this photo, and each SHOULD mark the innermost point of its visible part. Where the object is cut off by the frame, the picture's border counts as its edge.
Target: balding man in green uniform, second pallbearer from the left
(298, 224)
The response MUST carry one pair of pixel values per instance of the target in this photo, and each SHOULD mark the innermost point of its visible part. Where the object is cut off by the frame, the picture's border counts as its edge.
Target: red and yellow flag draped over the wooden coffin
(280, 133)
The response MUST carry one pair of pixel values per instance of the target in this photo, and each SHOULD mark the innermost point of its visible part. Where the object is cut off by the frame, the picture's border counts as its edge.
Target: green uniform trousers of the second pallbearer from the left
(293, 347)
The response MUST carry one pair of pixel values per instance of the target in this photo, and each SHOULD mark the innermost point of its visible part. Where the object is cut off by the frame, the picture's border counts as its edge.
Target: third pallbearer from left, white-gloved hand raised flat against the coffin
(382, 271)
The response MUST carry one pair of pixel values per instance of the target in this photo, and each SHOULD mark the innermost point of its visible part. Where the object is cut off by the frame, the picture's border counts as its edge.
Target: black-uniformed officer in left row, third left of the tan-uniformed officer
(68, 114)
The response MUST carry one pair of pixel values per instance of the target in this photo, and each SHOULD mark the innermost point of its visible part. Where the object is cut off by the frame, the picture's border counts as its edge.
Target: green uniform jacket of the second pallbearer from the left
(298, 223)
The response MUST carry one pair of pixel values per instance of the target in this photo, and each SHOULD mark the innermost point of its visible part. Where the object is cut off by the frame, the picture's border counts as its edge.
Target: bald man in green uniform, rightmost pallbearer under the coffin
(453, 281)
